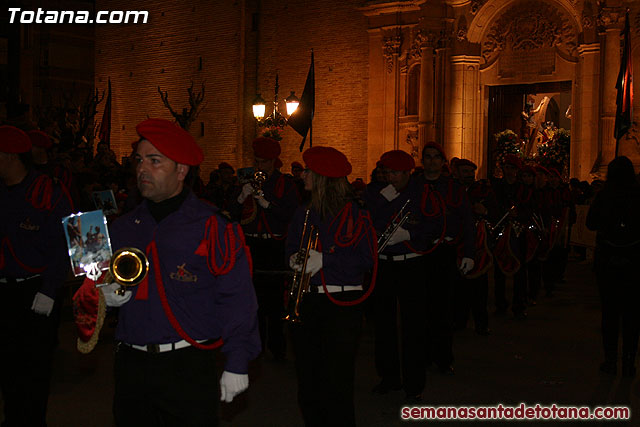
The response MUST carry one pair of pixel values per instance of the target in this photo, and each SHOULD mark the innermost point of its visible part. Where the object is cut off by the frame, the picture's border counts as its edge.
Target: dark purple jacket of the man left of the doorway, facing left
(459, 216)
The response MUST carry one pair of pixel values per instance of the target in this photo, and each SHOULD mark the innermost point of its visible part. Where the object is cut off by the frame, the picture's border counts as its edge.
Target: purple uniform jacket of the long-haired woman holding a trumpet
(340, 265)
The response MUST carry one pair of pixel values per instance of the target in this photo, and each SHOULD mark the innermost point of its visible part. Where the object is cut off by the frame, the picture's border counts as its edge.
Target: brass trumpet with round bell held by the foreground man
(128, 267)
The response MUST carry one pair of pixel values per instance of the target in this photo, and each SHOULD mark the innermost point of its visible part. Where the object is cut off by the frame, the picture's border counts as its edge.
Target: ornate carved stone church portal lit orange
(460, 72)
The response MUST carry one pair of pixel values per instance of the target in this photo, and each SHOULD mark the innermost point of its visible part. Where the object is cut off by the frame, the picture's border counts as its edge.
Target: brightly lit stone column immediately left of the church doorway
(463, 113)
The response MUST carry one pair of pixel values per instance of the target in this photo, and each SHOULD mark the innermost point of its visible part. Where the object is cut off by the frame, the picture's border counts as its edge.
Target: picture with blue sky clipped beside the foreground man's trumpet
(88, 242)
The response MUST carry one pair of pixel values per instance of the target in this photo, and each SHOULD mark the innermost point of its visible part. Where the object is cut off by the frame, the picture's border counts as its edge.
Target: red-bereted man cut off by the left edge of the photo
(33, 268)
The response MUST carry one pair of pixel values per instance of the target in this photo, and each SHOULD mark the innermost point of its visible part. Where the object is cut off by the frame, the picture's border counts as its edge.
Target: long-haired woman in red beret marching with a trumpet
(326, 338)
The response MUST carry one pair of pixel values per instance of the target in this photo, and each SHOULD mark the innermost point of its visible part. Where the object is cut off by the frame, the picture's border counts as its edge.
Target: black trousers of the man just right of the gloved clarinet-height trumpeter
(441, 275)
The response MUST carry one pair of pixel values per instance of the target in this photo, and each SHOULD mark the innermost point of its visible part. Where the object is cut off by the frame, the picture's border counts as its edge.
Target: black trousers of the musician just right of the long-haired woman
(401, 282)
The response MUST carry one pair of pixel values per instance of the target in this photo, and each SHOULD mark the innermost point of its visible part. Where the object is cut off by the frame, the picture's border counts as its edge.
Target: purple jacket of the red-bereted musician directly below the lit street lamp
(281, 192)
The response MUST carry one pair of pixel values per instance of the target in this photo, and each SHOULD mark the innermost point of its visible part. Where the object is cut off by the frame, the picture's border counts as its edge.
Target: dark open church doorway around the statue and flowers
(506, 104)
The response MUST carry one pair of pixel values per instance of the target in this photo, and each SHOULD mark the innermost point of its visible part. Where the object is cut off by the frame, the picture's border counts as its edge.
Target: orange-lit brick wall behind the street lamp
(238, 59)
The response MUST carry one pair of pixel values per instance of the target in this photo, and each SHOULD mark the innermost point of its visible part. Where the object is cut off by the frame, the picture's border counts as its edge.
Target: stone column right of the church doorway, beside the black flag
(613, 19)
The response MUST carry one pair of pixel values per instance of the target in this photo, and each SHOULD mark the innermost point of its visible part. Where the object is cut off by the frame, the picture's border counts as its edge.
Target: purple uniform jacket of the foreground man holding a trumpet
(205, 306)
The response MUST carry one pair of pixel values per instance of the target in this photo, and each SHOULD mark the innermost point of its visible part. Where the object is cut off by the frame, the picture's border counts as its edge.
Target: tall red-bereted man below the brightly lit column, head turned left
(443, 261)
